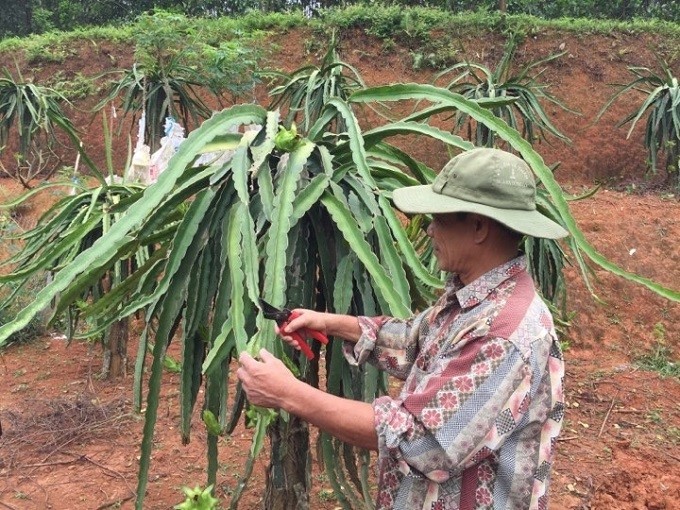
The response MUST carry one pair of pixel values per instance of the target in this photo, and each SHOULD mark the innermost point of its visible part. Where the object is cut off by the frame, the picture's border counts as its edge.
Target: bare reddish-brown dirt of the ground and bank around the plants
(71, 441)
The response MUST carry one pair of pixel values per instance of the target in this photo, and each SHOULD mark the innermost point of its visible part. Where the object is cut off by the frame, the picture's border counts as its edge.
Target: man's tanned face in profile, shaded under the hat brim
(452, 241)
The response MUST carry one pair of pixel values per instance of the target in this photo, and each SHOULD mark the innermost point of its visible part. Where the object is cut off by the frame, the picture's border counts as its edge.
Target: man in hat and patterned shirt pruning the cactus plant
(475, 424)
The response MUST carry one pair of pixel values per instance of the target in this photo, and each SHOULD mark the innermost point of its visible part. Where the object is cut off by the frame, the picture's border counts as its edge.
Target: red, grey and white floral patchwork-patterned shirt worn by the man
(475, 424)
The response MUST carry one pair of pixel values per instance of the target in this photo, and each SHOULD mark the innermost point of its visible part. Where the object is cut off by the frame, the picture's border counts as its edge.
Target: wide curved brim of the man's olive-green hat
(423, 200)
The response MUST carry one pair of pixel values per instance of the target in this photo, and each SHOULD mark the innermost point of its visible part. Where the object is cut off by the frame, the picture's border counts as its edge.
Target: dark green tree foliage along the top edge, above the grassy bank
(39, 16)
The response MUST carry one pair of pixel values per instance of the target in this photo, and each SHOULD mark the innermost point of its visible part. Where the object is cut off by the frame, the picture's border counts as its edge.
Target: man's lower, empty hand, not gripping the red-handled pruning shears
(267, 382)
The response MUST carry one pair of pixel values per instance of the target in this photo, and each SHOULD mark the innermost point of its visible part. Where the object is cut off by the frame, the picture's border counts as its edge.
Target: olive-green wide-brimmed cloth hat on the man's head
(489, 182)
